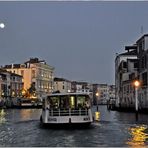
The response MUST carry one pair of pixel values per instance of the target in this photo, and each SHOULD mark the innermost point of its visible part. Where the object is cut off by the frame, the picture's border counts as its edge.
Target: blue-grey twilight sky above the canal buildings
(80, 39)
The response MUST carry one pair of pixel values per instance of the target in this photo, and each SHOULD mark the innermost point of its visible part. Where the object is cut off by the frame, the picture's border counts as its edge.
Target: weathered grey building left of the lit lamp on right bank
(125, 71)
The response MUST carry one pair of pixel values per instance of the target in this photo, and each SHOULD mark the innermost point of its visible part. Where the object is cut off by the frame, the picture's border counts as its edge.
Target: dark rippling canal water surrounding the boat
(21, 128)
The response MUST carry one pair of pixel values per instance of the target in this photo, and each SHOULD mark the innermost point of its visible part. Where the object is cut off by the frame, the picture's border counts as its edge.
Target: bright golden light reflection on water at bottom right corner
(138, 136)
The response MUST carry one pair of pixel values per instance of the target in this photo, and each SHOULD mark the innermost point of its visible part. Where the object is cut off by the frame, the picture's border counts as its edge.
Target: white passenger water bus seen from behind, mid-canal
(66, 109)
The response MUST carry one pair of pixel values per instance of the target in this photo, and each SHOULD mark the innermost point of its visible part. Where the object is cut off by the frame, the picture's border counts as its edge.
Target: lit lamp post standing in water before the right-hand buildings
(136, 84)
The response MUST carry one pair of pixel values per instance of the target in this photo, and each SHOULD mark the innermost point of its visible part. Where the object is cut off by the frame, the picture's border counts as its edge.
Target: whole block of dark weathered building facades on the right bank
(135, 67)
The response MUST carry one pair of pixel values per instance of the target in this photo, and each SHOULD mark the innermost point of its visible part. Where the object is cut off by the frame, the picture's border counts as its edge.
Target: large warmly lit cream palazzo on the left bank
(37, 76)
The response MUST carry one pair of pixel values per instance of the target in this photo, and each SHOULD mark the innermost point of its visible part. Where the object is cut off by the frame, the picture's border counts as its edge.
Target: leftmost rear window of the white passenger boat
(54, 102)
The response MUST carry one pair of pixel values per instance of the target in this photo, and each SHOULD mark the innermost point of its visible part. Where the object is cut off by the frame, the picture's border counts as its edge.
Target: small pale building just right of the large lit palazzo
(62, 85)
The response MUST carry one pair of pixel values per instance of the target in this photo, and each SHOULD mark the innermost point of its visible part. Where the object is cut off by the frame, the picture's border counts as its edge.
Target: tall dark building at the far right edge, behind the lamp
(142, 52)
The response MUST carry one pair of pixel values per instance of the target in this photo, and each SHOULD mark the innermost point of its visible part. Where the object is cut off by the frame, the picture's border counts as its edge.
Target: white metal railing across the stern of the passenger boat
(68, 112)
